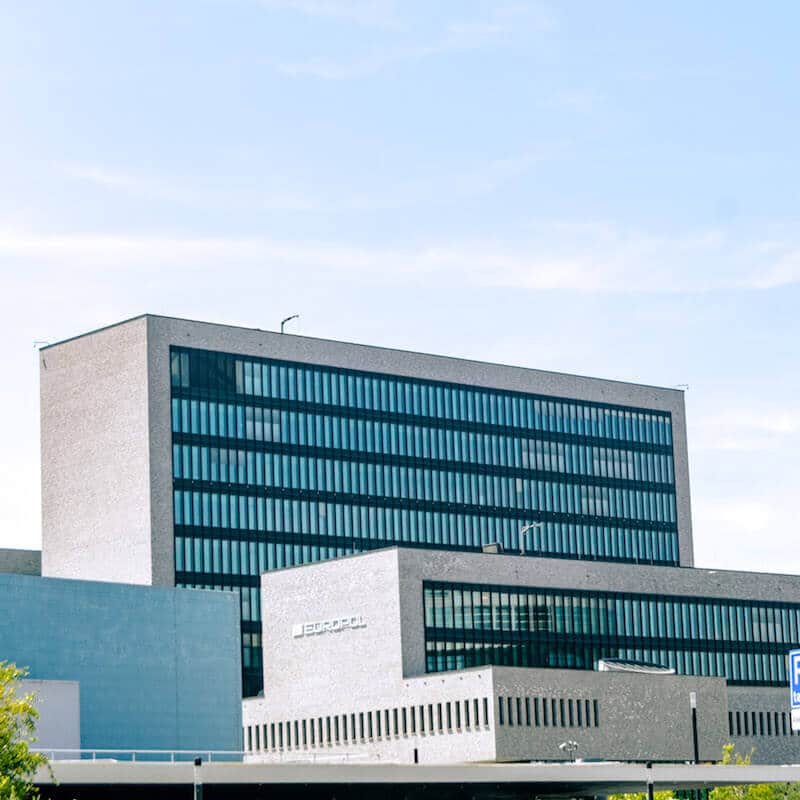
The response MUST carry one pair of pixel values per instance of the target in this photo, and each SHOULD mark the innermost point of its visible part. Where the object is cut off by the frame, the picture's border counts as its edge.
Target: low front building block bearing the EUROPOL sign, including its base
(414, 655)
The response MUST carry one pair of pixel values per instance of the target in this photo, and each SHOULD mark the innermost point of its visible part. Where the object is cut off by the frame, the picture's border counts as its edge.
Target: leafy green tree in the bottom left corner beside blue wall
(18, 717)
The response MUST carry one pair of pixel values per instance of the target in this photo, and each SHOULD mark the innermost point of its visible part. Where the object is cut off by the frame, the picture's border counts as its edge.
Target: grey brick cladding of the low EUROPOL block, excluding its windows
(382, 664)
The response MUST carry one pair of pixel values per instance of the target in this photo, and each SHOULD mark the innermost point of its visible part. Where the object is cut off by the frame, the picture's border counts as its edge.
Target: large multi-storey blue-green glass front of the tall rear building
(278, 463)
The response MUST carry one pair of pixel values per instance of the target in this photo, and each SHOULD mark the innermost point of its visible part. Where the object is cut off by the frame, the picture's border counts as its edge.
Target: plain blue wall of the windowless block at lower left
(158, 668)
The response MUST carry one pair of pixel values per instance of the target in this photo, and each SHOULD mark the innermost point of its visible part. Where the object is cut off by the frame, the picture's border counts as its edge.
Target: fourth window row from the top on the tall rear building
(368, 523)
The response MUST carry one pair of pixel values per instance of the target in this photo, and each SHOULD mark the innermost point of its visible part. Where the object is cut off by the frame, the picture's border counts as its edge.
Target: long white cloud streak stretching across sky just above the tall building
(549, 257)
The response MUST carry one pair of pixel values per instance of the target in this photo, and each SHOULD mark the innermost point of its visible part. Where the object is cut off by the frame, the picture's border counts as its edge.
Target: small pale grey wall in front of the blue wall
(59, 723)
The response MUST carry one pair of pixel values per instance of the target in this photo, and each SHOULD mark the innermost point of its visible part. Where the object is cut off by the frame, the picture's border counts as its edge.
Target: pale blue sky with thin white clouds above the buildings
(610, 189)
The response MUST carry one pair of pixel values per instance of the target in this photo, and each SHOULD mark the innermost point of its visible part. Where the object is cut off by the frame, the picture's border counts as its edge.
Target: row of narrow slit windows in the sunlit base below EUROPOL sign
(376, 725)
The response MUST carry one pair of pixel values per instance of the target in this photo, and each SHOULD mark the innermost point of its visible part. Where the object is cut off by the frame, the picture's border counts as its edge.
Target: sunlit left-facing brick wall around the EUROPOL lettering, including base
(353, 670)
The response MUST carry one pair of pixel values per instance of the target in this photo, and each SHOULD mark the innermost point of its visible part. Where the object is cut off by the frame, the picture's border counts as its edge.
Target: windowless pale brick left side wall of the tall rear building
(95, 459)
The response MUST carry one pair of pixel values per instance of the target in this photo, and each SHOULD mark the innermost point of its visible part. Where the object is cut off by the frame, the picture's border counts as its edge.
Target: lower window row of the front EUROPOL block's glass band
(740, 664)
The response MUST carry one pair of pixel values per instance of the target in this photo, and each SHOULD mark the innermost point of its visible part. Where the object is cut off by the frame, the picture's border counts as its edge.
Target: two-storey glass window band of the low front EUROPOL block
(469, 625)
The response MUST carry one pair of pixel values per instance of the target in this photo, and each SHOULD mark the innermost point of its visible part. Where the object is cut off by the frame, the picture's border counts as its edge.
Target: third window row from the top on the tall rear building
(273, 470)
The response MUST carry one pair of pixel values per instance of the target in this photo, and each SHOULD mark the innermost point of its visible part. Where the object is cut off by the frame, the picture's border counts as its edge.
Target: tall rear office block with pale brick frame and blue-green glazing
(181, 453)
